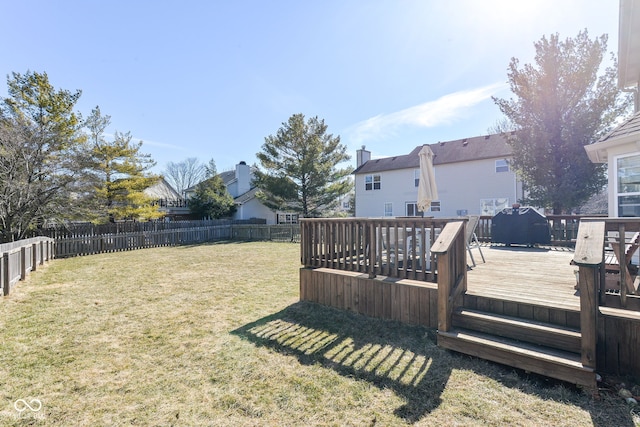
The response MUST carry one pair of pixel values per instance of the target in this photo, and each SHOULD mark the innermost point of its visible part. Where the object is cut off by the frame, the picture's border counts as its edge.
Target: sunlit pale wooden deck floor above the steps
(537, 276)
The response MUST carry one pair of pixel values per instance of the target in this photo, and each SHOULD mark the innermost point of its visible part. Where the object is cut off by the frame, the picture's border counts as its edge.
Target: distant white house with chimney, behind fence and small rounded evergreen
(239, 183)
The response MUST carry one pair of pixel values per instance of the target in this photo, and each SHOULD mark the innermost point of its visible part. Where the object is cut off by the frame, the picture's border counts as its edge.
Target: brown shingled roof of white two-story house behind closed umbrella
(459, 150)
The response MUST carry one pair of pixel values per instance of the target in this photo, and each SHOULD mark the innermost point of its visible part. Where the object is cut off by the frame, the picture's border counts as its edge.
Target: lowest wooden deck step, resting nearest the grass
(562, 365)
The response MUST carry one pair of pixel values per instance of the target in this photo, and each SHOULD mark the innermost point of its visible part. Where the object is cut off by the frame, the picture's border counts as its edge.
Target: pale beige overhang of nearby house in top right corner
(629, 43)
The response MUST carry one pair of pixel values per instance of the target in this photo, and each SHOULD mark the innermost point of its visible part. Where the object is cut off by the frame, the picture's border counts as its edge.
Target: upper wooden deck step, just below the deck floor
(544, 334)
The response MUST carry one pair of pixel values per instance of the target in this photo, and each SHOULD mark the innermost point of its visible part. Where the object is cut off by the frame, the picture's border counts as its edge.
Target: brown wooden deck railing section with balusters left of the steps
(394, 247)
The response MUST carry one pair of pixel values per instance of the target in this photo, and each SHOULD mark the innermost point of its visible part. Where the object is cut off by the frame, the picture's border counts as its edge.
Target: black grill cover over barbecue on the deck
(520, 226)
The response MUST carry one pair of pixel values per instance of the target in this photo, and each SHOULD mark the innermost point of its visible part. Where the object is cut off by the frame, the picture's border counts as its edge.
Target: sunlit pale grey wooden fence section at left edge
(21, 257)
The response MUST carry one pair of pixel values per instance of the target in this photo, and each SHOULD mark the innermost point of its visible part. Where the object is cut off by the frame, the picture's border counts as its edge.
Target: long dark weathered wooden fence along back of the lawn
(96, 244)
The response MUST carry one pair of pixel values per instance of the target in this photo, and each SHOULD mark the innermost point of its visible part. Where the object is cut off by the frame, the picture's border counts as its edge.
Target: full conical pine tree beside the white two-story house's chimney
(300, 171)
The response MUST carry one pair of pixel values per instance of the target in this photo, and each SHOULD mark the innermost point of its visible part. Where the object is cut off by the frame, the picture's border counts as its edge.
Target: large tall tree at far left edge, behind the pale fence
(42, 155)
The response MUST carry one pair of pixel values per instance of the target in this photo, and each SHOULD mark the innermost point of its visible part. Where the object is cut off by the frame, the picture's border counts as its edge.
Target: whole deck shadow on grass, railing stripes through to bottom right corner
(399, 357)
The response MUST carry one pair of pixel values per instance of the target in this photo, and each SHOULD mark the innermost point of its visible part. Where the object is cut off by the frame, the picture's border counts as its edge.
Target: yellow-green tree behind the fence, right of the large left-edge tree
(120, 174)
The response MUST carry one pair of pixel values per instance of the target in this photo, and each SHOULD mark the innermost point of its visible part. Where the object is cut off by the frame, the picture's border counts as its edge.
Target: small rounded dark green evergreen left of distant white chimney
(211, 199)
